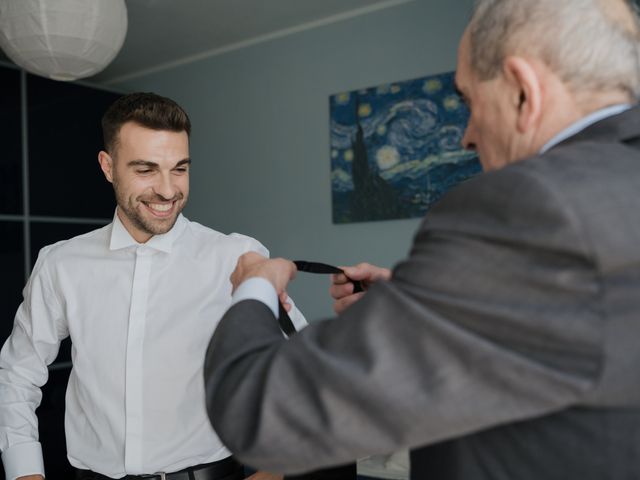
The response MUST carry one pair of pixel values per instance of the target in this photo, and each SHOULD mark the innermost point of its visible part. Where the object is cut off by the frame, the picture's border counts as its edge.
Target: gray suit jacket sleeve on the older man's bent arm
(493, 318)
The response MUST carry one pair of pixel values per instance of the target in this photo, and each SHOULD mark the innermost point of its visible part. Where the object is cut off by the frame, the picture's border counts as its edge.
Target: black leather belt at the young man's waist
(226, 469)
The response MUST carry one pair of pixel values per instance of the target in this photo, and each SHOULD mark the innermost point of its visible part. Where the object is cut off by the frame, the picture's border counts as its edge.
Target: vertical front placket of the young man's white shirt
(134, 362)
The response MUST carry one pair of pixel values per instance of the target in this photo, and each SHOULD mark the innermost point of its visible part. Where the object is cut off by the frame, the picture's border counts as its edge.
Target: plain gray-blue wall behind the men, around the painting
(260, 142)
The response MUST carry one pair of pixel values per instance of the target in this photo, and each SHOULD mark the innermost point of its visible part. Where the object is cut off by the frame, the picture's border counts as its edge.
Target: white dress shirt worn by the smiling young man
(140, 317)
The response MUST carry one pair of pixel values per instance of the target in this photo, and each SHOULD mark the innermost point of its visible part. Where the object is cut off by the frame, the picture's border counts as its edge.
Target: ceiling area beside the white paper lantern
(162, 33)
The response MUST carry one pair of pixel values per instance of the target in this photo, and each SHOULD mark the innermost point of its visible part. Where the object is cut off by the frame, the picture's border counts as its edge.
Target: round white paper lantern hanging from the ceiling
(62, 39)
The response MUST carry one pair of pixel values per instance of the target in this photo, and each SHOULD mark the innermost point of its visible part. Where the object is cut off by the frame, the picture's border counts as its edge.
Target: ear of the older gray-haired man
(526, 90)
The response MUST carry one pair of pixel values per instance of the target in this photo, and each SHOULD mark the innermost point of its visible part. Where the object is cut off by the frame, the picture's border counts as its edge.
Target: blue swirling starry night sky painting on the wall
(396, 148)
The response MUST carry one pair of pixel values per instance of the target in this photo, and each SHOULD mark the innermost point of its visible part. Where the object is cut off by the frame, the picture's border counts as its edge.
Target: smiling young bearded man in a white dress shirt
(139, 299)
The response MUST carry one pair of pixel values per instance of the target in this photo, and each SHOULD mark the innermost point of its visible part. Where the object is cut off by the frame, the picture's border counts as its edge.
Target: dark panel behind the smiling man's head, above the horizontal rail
(65, 137)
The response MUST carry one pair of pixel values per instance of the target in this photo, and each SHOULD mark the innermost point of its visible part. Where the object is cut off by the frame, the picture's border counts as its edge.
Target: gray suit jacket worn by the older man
(507, 345)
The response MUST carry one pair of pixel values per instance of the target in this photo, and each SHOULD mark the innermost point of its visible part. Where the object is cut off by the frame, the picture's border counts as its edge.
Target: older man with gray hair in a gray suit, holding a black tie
(506, 345)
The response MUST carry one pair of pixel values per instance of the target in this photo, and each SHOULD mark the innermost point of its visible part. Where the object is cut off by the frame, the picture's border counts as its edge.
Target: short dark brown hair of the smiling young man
(146, 109)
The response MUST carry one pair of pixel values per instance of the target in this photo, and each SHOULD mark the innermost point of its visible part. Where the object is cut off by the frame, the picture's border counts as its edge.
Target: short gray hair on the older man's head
(591, 46)
